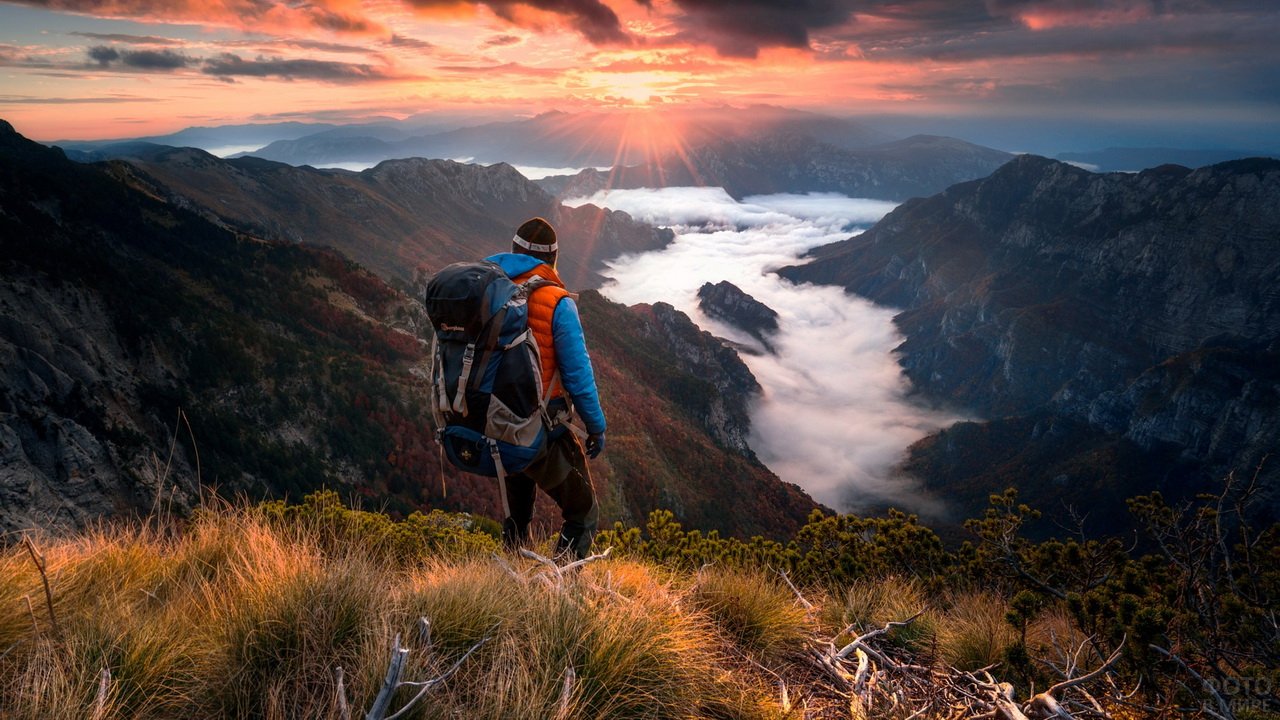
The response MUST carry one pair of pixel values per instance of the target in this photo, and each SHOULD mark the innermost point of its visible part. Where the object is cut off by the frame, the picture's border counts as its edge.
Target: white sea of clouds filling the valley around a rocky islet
(834, 417)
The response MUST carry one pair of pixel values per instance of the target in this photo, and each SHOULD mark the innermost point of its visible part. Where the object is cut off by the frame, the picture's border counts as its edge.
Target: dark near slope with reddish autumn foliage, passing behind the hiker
(292, 368)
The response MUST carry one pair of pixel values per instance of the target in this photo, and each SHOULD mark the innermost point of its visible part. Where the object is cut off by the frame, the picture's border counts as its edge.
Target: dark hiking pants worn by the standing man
(563, 475)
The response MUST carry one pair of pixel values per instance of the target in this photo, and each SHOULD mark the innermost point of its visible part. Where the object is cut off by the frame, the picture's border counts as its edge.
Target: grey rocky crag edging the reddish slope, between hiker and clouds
(703, 356)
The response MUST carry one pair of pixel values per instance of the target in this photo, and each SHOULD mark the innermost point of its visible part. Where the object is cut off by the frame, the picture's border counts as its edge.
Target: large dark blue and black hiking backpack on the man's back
(487, 382)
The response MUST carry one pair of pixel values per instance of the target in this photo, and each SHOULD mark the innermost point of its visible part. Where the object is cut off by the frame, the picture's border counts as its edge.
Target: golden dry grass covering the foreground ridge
(243, 616)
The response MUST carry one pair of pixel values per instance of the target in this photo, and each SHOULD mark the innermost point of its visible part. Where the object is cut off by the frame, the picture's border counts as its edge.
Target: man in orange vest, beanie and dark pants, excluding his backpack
(561, 472)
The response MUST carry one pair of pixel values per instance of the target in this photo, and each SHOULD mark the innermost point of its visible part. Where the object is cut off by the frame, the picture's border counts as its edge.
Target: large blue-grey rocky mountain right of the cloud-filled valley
(1145, 307)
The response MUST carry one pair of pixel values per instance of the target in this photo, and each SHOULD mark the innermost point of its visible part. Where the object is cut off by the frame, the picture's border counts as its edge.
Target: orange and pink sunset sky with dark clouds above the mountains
(127, 69)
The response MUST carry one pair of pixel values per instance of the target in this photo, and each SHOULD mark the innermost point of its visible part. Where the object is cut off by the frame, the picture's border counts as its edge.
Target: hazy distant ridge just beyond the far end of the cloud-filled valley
(798, 163)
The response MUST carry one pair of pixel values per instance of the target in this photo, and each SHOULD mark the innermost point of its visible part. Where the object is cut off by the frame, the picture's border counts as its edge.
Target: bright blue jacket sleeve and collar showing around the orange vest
(575, 364)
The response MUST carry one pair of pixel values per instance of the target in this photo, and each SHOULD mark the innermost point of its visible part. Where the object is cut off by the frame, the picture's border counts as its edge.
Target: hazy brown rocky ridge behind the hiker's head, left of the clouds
(397, 218)
